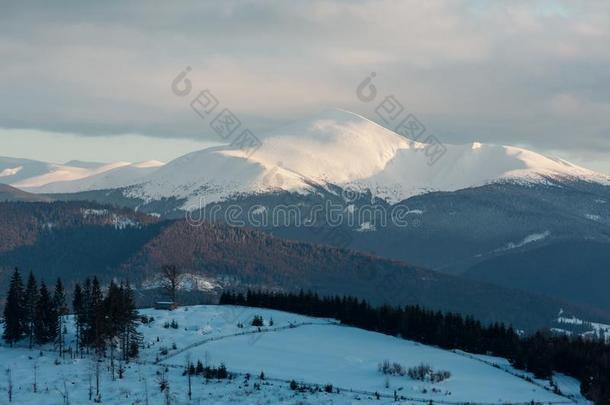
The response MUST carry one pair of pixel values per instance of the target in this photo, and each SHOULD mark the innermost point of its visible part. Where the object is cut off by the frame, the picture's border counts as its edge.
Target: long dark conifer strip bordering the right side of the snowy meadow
(587, 360)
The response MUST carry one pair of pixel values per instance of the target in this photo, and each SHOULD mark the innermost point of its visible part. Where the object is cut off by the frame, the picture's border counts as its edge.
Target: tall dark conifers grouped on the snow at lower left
(102, 321)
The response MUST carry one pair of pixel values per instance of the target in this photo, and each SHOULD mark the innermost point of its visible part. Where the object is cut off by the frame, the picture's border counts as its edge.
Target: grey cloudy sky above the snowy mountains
(93, 81)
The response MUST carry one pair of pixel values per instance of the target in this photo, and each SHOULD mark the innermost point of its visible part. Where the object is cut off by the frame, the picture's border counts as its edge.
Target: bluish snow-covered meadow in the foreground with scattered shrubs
(311, 351)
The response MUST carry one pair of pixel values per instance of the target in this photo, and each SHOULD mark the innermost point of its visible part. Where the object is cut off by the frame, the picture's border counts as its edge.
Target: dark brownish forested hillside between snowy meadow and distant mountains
(76, 240)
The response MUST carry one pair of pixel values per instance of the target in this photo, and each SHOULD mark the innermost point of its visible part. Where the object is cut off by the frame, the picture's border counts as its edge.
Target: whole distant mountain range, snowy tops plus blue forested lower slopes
(491, 213)
